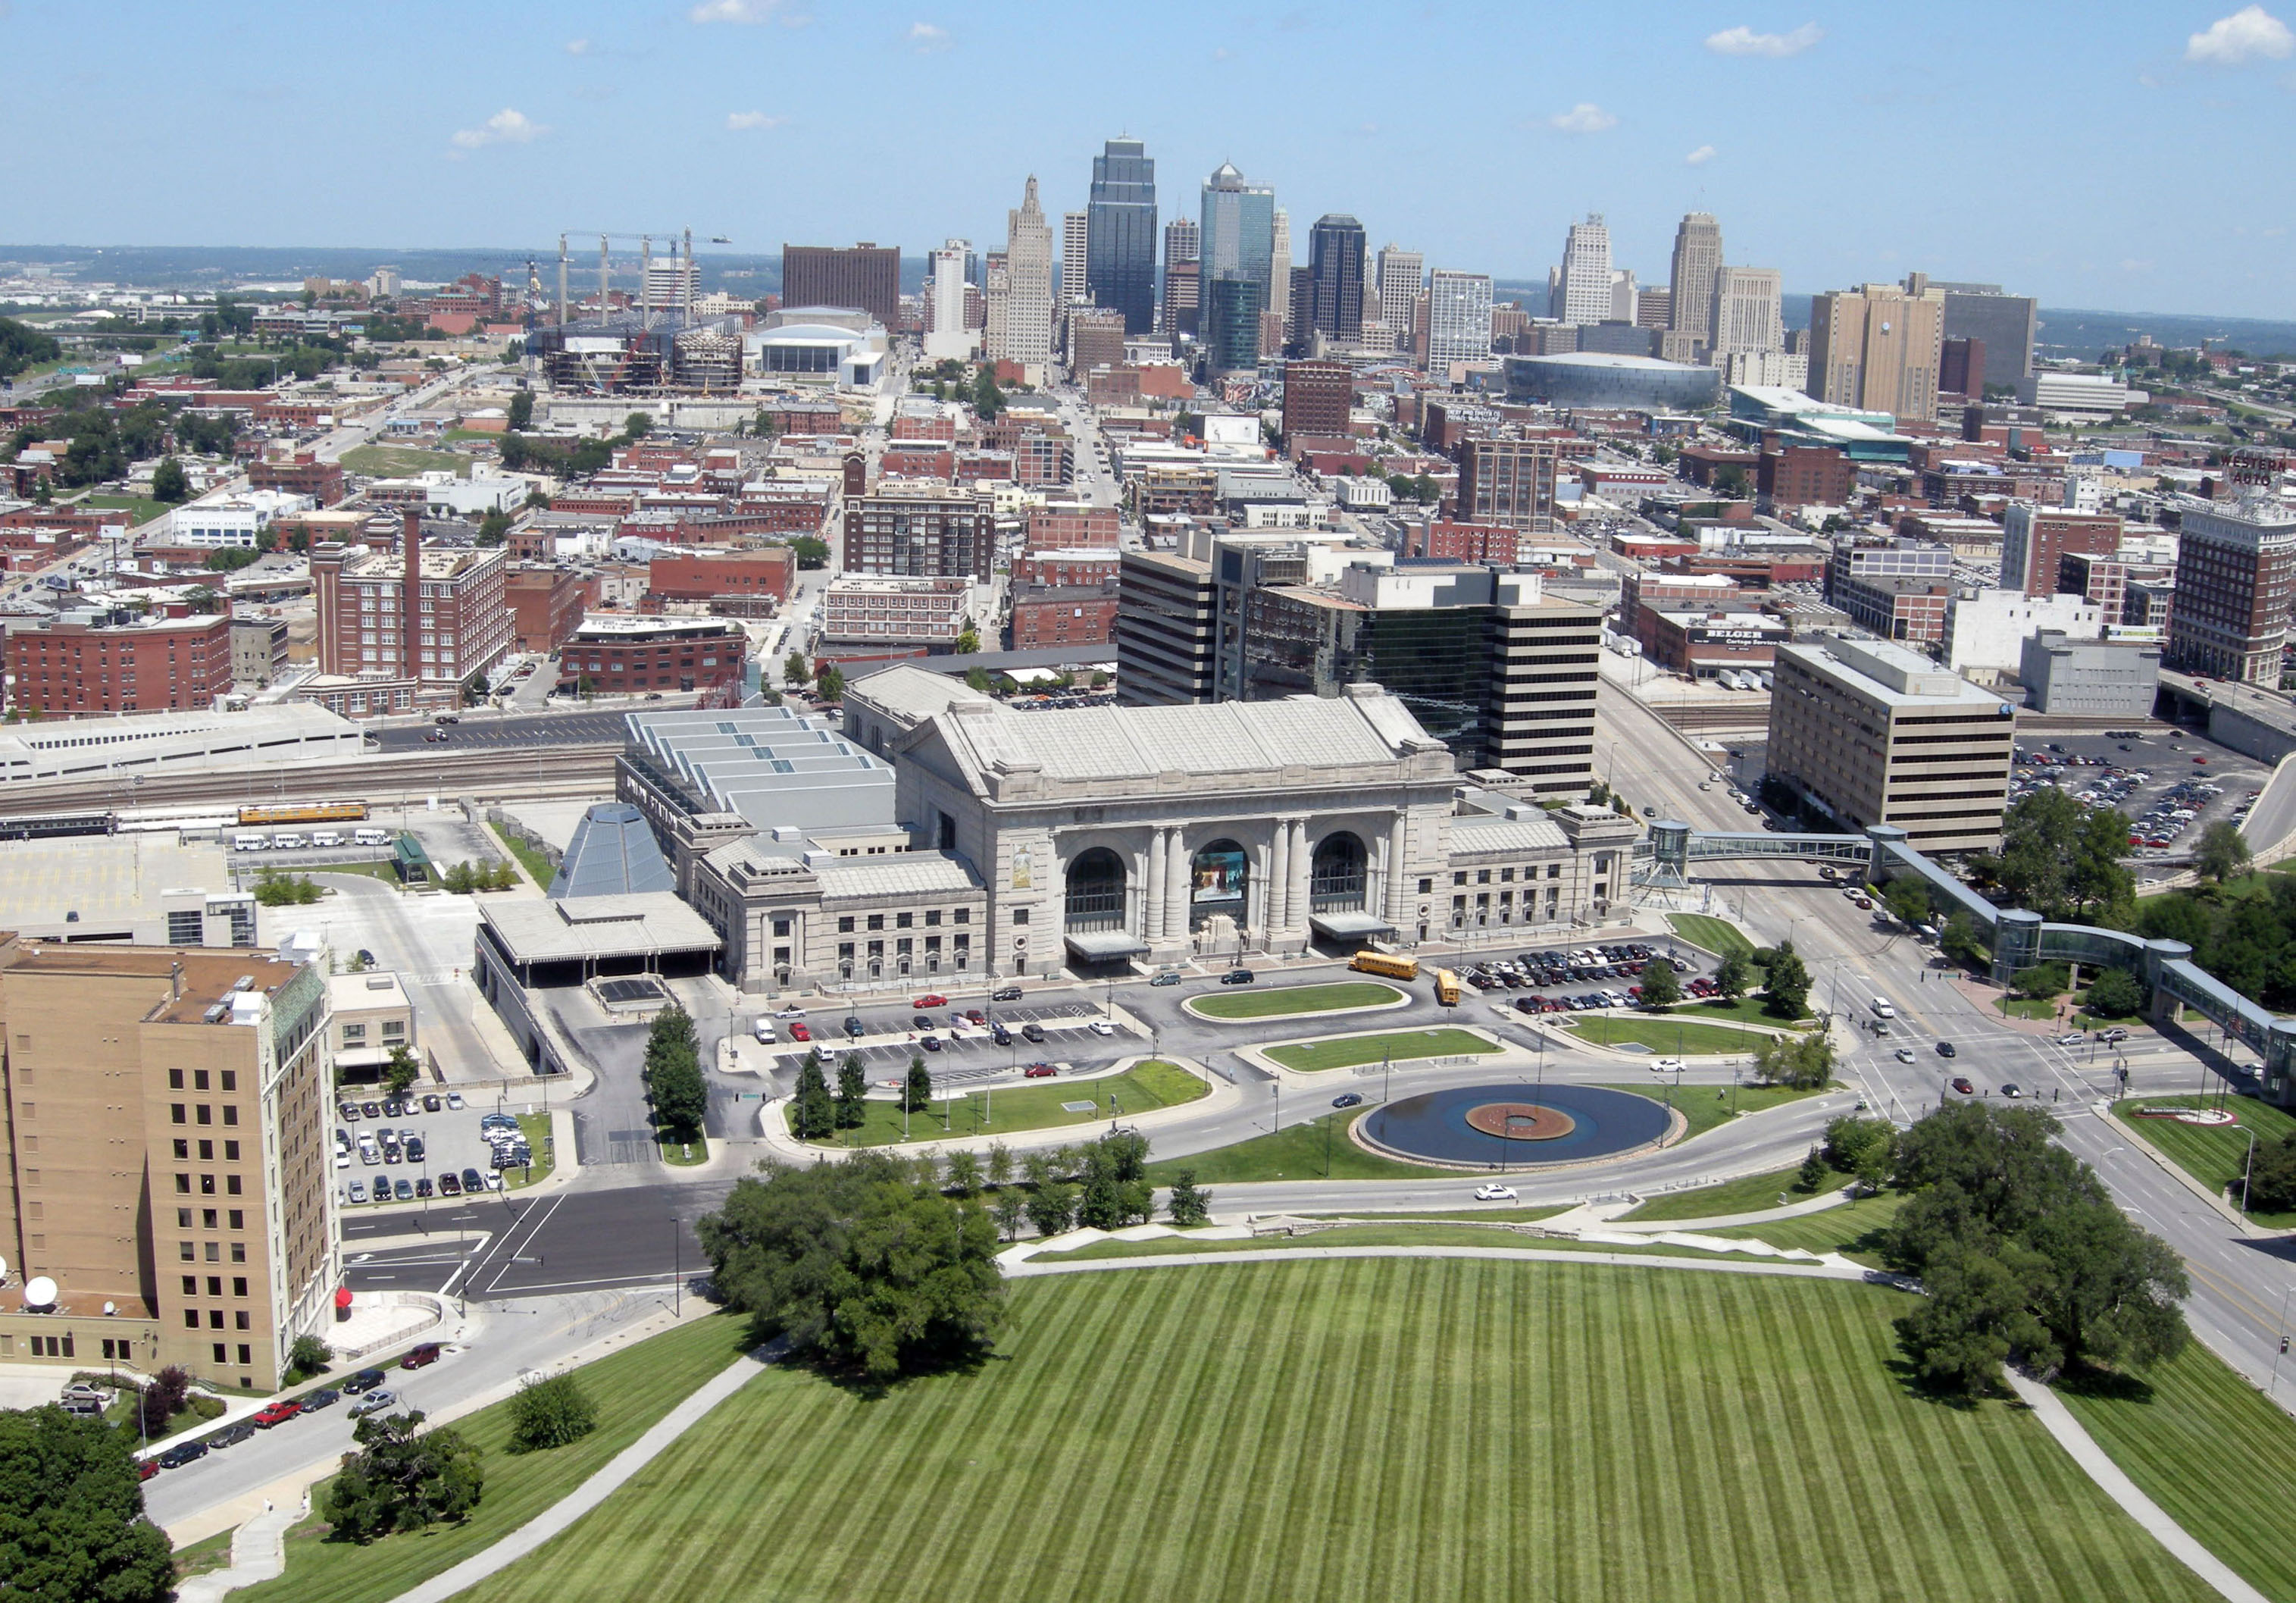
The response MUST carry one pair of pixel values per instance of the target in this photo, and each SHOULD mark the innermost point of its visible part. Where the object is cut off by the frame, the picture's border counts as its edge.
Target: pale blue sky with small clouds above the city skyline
(2127, 155)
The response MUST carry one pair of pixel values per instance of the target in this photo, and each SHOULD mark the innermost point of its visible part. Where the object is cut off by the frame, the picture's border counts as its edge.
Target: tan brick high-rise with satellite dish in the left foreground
(166, 1159)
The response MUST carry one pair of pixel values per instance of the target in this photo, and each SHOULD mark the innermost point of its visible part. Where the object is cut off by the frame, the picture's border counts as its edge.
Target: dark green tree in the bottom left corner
(72, 1517)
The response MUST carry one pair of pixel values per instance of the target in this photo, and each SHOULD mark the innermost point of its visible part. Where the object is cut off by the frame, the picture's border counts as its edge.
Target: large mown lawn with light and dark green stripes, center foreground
(1438, 1430)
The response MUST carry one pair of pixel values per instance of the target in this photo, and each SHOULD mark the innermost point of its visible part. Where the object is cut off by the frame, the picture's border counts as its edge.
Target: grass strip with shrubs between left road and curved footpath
(633, 1391)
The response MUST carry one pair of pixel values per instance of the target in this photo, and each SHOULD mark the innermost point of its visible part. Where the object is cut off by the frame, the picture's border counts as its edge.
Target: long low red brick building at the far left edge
(91, 669)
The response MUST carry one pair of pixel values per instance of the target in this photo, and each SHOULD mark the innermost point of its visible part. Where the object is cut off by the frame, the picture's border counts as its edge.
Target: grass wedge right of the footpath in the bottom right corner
(2208, 1448)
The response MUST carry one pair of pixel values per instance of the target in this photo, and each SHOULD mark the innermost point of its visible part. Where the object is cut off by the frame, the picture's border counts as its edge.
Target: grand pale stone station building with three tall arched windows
(1115, 839)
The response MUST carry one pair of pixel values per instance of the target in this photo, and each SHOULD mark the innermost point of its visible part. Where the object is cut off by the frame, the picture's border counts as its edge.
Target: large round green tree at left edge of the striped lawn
(860, 1267)
